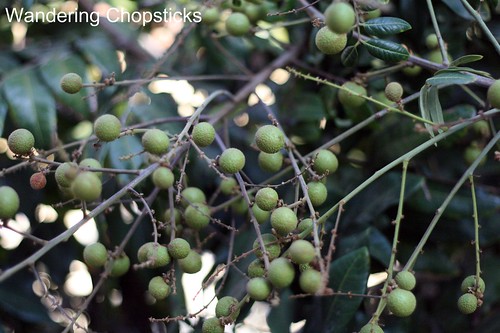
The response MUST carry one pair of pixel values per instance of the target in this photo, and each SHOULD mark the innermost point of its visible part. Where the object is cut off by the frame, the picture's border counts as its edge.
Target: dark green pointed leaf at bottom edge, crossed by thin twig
(347, 274)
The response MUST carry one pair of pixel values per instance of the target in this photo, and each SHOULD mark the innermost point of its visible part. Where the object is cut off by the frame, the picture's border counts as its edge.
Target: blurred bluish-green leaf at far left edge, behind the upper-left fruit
(31, 105)
